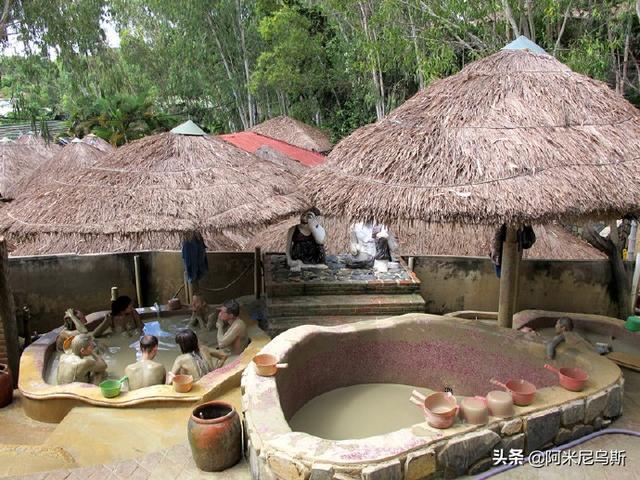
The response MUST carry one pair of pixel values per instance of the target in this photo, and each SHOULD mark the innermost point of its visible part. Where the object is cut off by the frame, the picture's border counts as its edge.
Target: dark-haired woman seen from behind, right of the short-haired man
(196, 360)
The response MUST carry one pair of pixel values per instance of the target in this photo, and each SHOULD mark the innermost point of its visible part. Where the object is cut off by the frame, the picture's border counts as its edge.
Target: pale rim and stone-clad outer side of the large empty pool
(556, 417)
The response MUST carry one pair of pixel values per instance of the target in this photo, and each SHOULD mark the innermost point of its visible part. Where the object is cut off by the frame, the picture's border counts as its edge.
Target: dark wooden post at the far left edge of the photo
(9, 349)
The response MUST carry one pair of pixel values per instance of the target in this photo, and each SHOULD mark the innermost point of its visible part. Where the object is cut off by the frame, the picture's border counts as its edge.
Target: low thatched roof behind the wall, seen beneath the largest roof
(552, 241)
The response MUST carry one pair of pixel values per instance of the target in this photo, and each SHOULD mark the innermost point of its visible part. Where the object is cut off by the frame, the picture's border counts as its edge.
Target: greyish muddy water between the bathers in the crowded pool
(122, 350)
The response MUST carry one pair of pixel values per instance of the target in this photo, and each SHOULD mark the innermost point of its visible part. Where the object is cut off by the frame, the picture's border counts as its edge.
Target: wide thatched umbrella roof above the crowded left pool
(147, 193)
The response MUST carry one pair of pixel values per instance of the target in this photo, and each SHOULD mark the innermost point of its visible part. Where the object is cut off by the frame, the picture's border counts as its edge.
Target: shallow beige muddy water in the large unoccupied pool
(358, 411)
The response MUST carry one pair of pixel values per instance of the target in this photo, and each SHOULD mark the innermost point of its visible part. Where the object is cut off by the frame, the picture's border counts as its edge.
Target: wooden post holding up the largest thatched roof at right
(508, 278)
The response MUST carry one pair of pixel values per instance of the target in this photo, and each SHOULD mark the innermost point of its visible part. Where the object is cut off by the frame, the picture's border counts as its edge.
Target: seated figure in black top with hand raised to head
(305, 242)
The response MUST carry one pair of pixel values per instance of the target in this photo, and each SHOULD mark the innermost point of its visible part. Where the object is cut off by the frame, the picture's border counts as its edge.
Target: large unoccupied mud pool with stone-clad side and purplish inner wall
(432, 353)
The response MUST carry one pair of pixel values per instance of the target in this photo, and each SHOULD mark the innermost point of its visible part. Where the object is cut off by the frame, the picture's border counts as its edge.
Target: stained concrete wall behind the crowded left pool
(51, 284)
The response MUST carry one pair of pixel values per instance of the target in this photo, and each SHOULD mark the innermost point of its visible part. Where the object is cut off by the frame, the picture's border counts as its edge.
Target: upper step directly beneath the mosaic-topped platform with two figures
(291, 289)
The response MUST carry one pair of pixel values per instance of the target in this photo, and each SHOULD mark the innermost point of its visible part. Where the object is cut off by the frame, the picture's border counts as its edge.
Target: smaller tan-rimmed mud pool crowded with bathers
(50, 403)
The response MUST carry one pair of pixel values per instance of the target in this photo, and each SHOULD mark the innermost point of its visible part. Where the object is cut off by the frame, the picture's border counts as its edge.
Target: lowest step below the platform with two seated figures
(321, 305)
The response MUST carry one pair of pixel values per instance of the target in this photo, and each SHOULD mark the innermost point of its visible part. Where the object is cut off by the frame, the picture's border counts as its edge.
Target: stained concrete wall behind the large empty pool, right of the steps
(469, 283)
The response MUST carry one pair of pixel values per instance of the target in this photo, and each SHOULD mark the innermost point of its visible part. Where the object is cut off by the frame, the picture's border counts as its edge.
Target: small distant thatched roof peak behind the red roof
(294, 132)
